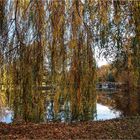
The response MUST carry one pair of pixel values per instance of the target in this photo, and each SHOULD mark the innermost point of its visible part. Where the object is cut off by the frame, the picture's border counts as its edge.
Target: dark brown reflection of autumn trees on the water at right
(128, 103)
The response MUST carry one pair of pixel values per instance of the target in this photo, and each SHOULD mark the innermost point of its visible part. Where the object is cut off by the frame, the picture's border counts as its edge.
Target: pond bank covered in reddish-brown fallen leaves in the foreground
(126, 128)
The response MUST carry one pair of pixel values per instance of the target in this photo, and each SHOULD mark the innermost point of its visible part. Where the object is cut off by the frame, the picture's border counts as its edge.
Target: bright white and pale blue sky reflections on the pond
(103, 113)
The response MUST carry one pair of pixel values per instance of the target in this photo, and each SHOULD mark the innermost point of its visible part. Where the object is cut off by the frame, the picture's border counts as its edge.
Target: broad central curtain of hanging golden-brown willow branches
(71, 59)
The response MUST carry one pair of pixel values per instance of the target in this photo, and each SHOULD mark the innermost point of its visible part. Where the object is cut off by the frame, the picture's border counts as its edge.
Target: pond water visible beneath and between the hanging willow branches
(109, 105)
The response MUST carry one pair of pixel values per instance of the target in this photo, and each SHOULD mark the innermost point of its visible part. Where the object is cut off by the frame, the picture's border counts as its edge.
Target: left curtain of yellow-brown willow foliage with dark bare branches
(23, 58)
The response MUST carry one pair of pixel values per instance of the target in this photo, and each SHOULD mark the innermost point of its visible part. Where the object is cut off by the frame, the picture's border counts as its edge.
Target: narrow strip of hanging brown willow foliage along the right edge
(131, 45)
